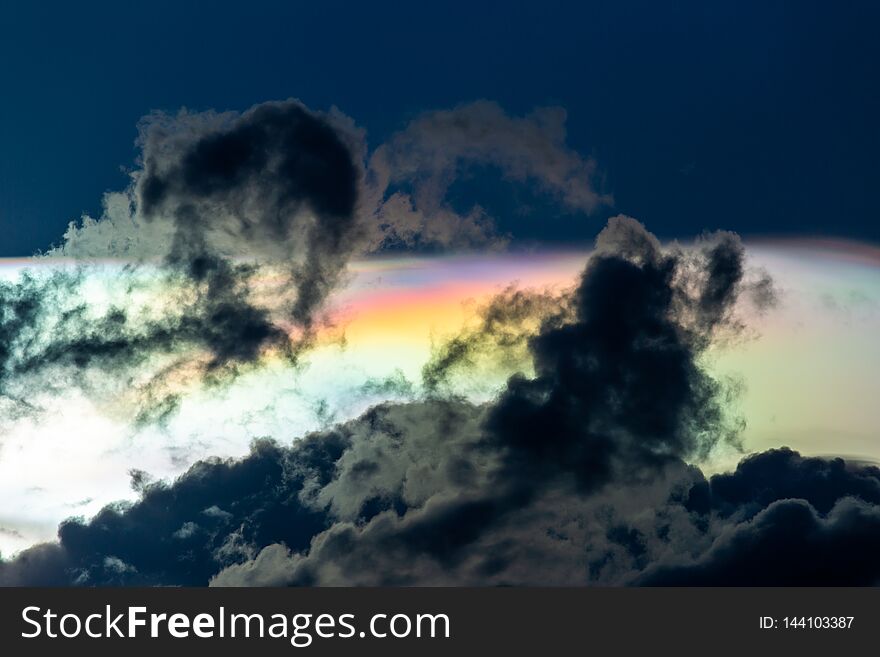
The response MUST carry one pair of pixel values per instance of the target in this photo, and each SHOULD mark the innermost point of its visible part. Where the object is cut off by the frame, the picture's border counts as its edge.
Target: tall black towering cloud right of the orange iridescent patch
(621, 386)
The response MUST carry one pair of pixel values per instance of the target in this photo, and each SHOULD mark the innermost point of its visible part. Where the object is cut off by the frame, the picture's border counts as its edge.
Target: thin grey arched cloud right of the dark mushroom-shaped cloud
(409, 176)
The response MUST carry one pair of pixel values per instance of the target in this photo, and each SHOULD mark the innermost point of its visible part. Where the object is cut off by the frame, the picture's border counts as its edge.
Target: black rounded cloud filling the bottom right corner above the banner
(783, 520)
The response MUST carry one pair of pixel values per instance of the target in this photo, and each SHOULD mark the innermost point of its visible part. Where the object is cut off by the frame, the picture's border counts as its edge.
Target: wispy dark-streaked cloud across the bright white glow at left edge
(55, 338)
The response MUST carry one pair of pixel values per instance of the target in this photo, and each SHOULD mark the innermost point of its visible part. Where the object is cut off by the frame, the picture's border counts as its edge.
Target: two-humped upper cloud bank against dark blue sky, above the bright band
(282, 181)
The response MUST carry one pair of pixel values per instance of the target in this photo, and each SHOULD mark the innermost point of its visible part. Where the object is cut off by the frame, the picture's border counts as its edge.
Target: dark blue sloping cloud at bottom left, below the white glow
(184, 533)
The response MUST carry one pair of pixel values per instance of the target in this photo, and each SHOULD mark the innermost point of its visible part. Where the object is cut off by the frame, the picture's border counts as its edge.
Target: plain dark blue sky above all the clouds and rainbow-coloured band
(757, 117)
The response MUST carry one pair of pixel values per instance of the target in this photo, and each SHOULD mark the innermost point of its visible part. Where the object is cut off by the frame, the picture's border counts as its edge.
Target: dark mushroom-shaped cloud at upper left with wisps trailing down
(278, 181)
